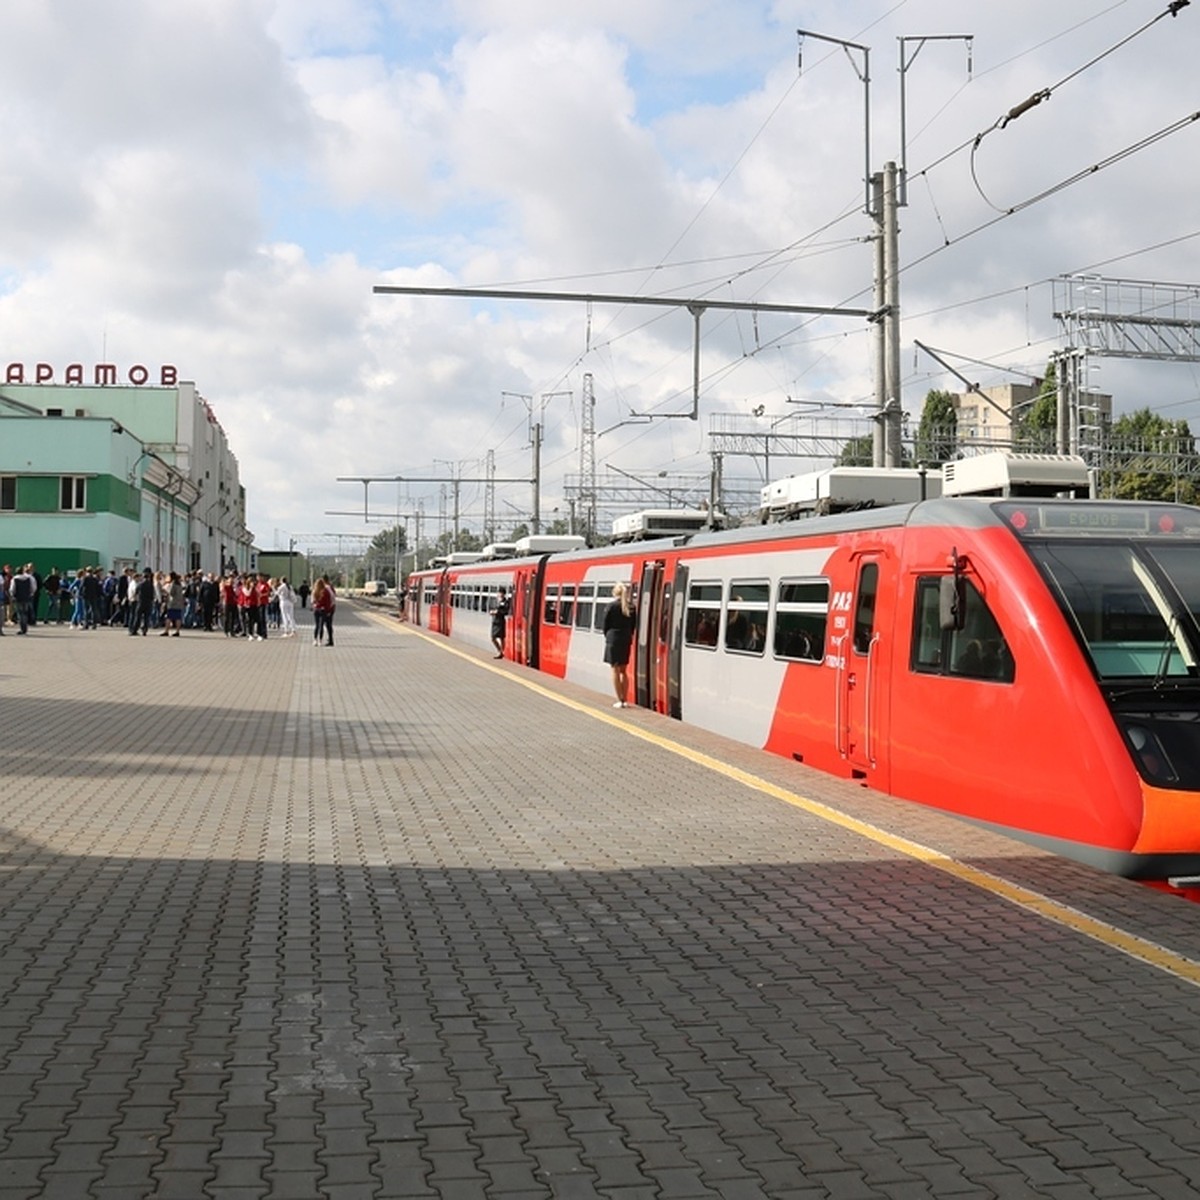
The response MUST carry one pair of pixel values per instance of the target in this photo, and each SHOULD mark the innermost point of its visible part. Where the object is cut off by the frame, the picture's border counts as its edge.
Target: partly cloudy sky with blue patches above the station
(220, 185)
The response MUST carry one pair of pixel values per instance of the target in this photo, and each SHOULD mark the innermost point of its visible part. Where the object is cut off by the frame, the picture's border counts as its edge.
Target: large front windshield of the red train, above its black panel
(1133, 605)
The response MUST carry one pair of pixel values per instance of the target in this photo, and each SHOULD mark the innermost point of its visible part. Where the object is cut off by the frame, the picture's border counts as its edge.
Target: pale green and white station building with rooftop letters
(101, 472)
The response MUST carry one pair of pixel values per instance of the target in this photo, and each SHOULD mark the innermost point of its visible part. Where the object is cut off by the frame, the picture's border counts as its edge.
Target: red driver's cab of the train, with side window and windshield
(1053, 689)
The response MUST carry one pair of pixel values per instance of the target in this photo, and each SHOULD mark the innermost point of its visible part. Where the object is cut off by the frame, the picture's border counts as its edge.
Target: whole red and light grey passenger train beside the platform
(1033, 665)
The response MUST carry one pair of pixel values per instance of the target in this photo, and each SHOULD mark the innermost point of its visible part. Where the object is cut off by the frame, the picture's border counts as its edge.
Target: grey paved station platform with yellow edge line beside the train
(393, 920)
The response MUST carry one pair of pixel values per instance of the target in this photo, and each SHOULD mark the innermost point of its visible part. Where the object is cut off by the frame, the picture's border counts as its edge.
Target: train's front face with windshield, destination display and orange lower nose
(1127, 579)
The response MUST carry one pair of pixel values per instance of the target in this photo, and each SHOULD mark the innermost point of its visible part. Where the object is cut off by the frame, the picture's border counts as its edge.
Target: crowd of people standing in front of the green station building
(238, 604)
